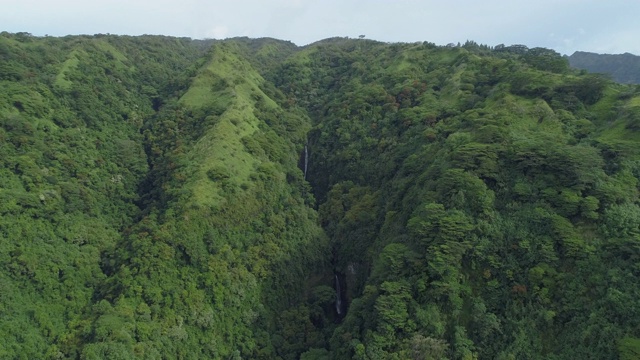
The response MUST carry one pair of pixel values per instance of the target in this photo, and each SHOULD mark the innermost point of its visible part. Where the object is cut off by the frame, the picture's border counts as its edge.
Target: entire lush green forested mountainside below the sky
(169, 198)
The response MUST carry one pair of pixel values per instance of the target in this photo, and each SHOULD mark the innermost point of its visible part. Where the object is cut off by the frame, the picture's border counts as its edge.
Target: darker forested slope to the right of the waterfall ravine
(480, 202)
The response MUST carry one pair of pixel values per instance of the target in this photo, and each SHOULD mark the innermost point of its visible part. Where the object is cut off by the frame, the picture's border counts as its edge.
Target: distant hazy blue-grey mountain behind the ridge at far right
(623, 68)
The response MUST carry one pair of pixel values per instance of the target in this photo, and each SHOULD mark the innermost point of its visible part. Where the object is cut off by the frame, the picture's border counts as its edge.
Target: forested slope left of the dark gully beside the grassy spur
(72, 159)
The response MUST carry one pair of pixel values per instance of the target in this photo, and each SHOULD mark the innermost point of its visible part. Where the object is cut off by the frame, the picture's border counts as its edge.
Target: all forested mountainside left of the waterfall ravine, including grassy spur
(152, 204)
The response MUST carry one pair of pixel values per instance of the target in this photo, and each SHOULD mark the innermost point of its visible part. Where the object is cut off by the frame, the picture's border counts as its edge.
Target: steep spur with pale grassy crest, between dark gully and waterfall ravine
(206, 274)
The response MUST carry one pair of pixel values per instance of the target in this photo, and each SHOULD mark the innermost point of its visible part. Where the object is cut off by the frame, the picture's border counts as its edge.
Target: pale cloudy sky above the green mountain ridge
(603, 26)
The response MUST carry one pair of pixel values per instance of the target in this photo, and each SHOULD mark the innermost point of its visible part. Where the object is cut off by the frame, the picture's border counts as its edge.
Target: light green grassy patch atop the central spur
(227, 82)
